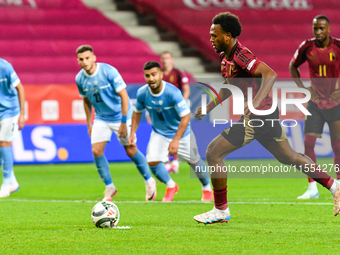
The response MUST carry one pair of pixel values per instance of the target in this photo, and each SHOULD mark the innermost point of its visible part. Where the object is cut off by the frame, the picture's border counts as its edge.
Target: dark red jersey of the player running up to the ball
(239, 70)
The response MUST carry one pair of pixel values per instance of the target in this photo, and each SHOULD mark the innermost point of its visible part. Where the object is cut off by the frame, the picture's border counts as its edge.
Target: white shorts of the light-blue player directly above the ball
(102, 131)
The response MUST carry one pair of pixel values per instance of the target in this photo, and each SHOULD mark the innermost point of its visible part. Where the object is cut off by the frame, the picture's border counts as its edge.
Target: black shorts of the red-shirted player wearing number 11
(314, 123)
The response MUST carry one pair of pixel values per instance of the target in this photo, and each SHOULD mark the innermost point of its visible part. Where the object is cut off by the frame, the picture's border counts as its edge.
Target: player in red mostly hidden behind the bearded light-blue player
(178, 78)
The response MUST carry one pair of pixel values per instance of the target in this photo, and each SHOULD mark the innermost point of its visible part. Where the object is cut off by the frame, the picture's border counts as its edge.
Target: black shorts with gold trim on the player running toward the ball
(251, 127)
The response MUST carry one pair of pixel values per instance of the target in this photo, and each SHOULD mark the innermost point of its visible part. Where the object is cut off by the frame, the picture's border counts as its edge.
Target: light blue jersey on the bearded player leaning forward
(165, 108)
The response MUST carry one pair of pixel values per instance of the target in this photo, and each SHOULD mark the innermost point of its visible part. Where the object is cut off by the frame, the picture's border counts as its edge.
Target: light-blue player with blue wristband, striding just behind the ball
(102, 87)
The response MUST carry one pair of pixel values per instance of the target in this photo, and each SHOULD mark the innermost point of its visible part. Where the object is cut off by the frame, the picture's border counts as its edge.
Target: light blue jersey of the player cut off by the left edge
(9, 101)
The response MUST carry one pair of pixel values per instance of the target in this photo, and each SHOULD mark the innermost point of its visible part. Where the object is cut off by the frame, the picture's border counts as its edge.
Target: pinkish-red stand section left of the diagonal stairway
(40, 37)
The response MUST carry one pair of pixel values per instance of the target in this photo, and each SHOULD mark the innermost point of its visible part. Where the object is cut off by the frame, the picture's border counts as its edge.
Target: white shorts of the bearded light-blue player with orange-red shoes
(158, 148)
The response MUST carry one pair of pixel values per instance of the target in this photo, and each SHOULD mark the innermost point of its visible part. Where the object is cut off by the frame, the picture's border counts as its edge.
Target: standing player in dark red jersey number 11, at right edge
(323, 56)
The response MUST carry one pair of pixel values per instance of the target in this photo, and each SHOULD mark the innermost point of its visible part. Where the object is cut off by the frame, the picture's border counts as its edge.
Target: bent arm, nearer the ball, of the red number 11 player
(298, 59)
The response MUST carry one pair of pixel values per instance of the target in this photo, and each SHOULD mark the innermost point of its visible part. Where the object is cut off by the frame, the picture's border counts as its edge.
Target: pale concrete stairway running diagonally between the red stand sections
(159, 39)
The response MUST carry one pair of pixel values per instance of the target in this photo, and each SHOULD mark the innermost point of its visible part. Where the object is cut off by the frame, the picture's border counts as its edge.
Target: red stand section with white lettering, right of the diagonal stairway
(271, 29)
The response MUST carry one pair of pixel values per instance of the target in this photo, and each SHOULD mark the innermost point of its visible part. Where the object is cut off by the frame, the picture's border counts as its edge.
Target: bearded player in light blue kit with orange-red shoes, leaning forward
(170, 118)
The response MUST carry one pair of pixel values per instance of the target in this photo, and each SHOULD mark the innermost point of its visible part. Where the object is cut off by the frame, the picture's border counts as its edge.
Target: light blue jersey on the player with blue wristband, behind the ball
(101, 89)
